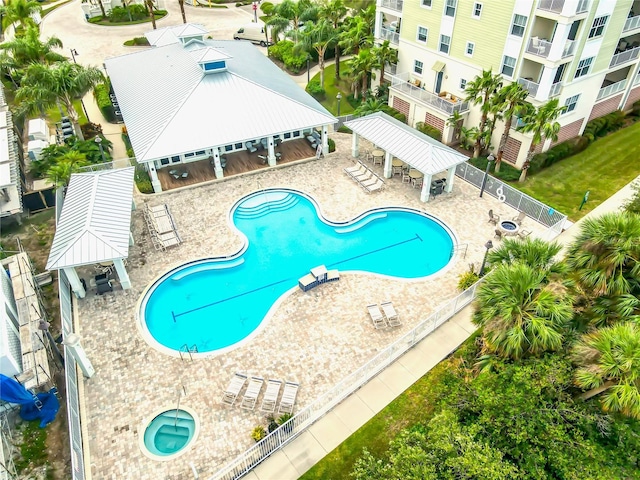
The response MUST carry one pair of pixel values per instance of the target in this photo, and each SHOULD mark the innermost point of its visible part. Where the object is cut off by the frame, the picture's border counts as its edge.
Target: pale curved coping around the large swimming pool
(152, 342)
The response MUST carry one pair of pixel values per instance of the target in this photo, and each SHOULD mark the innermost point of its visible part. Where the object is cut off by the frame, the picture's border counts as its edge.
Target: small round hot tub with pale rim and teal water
(168, 434)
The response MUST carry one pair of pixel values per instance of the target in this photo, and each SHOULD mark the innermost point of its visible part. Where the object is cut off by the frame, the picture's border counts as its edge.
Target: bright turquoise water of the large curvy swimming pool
(215, 303)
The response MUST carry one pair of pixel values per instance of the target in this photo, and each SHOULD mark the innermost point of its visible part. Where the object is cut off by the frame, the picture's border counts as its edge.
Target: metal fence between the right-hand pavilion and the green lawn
(522, 202)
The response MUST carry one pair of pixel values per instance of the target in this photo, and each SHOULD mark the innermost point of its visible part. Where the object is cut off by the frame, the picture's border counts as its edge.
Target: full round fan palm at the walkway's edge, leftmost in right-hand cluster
(520, 313)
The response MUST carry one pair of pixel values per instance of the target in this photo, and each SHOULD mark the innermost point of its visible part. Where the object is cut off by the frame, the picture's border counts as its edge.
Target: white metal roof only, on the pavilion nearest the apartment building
(408, 144)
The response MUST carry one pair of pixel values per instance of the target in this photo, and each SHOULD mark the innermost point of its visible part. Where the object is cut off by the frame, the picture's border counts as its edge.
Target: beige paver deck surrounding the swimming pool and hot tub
(315, 338)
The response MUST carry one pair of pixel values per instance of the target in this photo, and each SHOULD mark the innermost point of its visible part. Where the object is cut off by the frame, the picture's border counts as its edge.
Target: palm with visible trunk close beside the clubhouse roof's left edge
(44, 86)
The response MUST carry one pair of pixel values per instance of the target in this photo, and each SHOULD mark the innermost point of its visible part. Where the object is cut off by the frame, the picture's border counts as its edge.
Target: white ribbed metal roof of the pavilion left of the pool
(95, 221)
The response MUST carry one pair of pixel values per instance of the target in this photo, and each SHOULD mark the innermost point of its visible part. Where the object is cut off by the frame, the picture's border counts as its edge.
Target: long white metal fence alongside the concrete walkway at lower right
(242, 464)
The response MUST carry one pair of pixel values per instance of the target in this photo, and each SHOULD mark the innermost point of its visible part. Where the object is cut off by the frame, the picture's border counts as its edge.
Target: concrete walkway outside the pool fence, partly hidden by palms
(326, 434)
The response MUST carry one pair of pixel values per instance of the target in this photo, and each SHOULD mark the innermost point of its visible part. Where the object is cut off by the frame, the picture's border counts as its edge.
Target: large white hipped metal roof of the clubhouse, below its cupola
(170, 106)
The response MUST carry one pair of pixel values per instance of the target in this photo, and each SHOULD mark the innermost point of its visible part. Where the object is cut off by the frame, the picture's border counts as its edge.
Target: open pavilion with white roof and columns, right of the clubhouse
(398, 141)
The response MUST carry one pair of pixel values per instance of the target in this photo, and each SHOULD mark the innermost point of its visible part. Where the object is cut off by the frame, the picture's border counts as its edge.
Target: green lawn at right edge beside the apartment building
(603, 168)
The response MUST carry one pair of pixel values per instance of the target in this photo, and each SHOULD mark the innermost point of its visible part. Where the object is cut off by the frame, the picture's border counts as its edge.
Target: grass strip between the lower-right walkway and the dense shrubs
(414, 405)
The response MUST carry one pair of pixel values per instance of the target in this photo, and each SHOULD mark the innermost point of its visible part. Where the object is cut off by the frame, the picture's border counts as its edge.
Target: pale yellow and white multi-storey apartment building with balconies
(586, 53)
